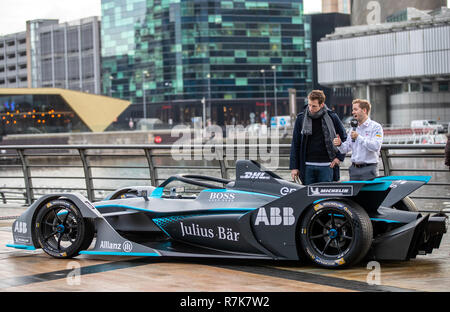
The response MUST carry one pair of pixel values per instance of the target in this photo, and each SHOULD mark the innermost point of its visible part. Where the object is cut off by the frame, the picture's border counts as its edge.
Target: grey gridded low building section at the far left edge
(13, 61)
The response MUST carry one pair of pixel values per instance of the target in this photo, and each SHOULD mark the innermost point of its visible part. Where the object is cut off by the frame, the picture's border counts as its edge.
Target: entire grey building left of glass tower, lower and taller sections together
(49, 54)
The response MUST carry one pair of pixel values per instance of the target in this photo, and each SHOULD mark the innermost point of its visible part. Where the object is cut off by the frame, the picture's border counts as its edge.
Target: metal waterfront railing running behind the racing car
(152, 164)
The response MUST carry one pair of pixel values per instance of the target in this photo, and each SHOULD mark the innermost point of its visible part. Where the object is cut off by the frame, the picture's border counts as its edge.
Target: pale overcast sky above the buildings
(14, 13)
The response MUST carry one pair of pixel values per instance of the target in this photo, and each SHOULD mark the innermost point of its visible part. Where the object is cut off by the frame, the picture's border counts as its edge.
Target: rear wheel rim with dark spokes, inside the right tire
(331, 233)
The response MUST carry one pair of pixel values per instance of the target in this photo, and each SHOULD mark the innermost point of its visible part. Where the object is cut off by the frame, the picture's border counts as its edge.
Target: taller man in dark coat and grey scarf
(314, 158)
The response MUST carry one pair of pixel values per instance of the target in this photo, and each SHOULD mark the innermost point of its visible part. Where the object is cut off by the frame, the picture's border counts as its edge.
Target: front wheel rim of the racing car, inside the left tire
(59, 229)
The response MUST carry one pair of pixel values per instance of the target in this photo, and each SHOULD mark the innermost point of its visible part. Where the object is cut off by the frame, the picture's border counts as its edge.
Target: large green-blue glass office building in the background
(239, 56)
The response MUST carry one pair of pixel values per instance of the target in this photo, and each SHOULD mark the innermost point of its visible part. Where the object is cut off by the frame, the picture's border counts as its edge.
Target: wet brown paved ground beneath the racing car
(35, 271)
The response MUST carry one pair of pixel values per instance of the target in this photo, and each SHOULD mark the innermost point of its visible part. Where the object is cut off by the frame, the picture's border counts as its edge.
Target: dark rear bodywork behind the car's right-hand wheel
(406, 242)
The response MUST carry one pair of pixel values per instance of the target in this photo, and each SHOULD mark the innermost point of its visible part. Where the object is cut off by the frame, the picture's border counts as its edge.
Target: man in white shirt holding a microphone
(364, 142)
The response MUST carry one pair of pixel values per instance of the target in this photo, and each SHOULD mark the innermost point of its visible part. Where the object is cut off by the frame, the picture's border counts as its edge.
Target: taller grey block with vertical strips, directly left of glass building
(65, 55)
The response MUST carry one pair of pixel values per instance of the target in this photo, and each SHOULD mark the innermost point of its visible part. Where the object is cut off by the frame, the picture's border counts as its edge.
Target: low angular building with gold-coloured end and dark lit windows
(52, 110)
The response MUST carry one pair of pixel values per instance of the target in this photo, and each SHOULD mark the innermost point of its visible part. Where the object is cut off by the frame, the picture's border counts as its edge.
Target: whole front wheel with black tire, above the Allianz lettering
(61, 230)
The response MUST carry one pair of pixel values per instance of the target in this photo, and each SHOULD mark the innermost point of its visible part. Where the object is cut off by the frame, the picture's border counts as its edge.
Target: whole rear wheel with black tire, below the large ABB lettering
(335, 233)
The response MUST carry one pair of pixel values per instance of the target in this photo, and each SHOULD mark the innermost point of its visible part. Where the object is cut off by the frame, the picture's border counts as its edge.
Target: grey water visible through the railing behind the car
(110, 173)
